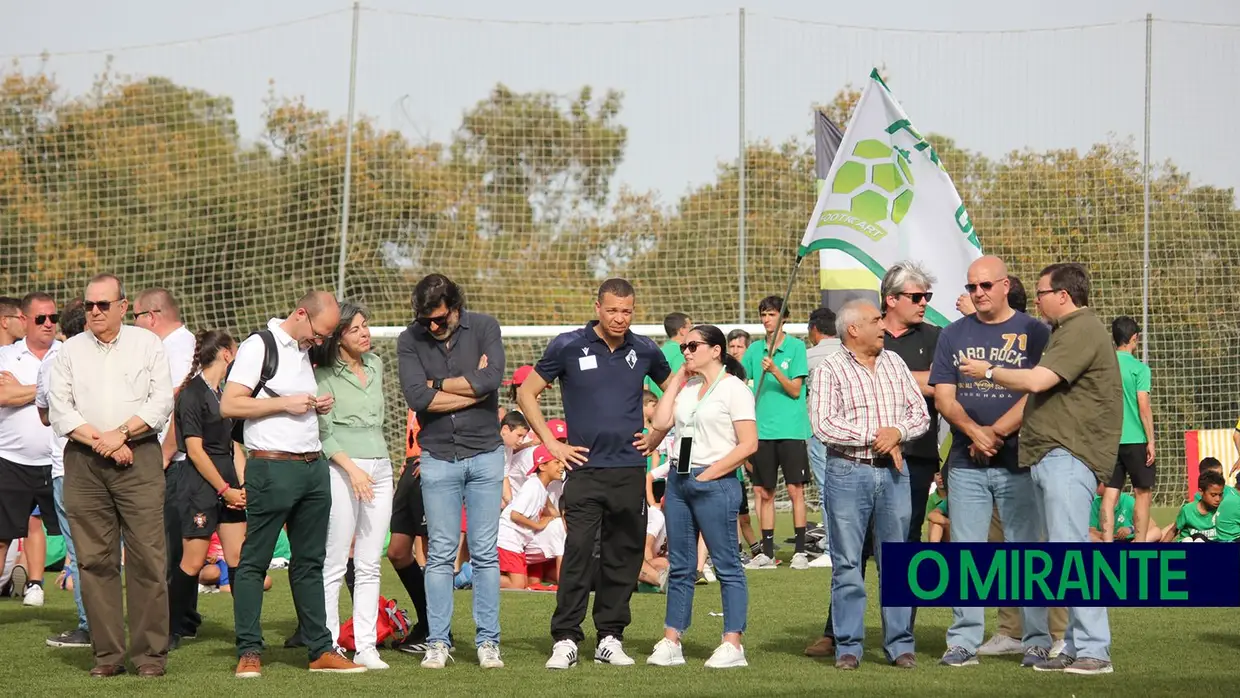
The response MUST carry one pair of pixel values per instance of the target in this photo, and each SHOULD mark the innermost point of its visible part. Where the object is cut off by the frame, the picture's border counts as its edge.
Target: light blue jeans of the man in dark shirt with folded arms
(478, 483)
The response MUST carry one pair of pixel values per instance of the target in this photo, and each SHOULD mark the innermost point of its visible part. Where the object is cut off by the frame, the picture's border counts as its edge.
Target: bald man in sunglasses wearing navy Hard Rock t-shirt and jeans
(985, 417)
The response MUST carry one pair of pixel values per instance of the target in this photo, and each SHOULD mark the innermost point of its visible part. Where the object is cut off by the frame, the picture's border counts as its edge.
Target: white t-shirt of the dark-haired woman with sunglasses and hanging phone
(712, 431)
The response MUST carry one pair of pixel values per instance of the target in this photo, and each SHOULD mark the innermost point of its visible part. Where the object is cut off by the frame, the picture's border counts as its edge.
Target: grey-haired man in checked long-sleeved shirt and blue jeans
(866, 409)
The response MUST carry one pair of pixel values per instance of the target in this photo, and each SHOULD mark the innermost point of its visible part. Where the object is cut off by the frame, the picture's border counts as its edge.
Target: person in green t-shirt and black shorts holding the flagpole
(783, 428)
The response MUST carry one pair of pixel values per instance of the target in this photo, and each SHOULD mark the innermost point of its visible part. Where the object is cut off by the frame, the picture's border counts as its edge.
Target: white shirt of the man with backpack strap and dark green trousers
(282, 432)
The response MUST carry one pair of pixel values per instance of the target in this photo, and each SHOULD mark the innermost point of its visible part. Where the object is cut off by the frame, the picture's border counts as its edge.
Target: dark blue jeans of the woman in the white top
(710, 509)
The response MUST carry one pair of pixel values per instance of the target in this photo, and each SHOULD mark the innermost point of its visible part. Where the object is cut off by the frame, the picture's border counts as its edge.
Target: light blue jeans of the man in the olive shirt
(1065, 489)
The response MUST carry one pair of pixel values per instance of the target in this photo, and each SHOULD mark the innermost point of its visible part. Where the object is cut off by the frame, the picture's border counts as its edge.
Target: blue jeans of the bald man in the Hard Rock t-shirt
(974, 493)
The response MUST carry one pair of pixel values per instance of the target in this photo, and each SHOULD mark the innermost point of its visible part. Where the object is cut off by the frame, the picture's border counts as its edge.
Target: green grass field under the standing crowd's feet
(1156, 653)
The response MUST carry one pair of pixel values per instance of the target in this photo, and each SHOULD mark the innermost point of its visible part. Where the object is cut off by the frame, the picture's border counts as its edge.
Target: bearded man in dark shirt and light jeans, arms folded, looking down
(452, 366)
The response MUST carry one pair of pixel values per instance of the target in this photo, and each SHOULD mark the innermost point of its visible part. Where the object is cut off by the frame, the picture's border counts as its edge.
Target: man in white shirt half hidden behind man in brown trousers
(157, 311)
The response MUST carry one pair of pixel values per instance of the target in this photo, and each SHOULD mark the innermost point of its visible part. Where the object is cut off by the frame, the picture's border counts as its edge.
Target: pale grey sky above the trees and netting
(983, 73)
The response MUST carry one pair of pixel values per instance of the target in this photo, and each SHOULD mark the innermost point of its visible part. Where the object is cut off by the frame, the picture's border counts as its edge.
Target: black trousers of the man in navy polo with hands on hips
(606, 505)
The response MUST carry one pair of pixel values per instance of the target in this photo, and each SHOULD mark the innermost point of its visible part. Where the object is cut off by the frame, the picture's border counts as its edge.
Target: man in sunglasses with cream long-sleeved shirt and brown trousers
(111, 395)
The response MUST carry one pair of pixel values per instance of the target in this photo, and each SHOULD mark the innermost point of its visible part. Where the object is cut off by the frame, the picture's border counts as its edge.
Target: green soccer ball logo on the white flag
(879, 183)
